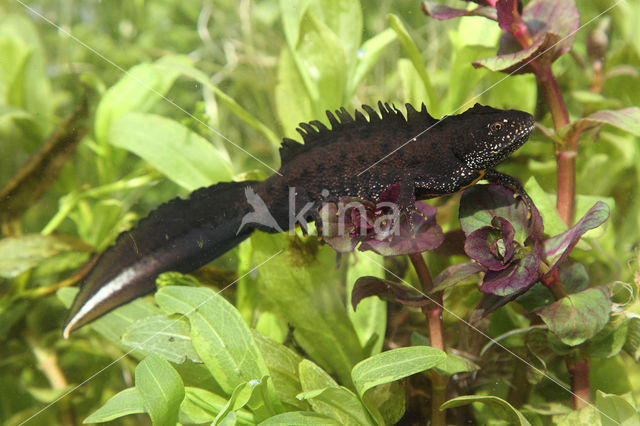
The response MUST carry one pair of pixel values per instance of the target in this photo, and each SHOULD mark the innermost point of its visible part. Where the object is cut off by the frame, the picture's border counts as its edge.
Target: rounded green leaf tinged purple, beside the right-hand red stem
(578, 317)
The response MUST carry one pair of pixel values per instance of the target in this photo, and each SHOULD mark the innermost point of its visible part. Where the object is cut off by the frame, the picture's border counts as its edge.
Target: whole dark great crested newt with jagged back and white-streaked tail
(357, 157)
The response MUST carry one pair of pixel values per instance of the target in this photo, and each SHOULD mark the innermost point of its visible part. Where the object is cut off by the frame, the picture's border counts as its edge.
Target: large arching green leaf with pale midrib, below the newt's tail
(221, 338)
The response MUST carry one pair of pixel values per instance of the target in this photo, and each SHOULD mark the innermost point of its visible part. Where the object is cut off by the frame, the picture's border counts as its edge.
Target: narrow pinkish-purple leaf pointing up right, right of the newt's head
(556, 249)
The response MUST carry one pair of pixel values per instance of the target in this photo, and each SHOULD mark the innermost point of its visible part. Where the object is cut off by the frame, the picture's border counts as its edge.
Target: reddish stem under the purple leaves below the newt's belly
(433, 314)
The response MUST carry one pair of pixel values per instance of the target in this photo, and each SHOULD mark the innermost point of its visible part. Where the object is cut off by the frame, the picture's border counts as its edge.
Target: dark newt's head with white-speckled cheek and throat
(491, 135)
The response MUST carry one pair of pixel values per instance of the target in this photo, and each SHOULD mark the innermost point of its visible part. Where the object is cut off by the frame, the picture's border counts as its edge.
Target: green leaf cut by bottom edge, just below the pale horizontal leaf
(344, 405)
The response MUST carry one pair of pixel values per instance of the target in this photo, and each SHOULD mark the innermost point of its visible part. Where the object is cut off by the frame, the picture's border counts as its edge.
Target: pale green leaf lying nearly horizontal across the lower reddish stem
(394, 365)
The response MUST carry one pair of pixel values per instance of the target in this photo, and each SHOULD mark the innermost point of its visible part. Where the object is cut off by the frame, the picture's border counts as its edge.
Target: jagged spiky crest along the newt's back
(387, 116)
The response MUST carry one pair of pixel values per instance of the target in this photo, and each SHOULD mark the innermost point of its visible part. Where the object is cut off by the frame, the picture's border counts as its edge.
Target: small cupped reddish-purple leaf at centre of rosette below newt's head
(492, 246)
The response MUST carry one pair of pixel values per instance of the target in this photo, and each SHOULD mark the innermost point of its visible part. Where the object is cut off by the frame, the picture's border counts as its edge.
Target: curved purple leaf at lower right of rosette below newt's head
(520, 275)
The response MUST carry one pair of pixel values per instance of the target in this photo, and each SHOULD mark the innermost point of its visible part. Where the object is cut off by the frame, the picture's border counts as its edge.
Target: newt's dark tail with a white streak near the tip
(181, 235)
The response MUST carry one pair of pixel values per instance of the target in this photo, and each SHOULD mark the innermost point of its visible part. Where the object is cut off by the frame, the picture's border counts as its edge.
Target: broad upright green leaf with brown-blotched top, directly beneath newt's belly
(303, 287)
